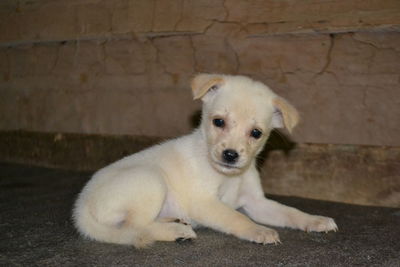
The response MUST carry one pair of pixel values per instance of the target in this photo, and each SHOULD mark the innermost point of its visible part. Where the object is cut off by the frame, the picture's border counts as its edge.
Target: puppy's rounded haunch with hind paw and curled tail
(124, 210)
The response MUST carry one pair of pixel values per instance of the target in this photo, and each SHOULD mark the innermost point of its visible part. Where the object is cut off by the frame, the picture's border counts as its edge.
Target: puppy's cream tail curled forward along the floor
(91, 228)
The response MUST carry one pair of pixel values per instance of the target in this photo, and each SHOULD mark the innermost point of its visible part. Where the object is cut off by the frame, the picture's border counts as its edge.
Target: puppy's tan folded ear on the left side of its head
(202, 83)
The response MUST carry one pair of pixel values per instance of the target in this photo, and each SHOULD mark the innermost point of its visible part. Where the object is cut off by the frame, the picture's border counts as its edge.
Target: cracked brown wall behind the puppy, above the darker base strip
(123, 67)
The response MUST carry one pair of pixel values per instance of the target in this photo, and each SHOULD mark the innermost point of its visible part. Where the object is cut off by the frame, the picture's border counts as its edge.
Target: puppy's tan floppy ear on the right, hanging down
(285, 115)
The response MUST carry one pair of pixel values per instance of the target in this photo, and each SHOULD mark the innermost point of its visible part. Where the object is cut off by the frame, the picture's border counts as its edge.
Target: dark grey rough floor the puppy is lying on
(36, 230)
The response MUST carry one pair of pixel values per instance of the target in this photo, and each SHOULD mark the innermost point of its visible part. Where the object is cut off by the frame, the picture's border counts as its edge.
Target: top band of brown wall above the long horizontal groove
(39, 20)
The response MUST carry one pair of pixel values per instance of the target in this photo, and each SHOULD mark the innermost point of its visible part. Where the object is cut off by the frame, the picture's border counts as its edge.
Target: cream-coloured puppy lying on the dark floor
(201, 178)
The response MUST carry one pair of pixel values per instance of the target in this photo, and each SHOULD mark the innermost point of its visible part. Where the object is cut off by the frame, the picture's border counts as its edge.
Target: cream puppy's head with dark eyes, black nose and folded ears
(238, 115)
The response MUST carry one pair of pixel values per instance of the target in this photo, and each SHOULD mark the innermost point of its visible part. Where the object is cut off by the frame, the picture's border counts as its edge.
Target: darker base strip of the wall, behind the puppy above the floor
(365, 175)
